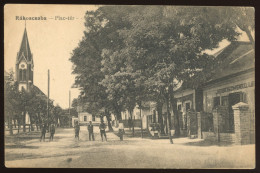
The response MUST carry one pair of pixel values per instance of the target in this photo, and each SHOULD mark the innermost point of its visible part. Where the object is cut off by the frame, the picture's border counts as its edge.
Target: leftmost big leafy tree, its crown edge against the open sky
(101, 26)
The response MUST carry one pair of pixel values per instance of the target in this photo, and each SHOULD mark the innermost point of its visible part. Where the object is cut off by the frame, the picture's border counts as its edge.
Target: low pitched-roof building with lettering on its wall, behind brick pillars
(234, 84)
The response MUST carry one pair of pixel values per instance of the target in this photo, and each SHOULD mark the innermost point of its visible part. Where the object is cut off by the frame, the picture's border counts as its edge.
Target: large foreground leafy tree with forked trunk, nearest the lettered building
(171, 41)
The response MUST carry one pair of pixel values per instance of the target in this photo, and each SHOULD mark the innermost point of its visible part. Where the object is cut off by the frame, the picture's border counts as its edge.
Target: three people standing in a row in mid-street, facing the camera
(102, 128)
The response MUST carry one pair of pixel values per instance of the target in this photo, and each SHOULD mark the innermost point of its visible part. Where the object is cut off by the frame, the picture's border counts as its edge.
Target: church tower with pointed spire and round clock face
(24, 64)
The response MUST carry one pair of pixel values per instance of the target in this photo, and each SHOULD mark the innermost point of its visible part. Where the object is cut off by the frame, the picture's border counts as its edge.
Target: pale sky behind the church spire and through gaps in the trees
(51, 42)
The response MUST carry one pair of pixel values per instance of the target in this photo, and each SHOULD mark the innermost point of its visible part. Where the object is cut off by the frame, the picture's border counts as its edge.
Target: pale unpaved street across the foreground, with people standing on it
(66, 152)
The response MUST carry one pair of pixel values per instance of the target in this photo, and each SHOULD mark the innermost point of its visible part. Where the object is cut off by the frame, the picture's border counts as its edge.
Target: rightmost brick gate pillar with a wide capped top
(242, 123)
